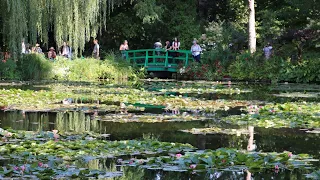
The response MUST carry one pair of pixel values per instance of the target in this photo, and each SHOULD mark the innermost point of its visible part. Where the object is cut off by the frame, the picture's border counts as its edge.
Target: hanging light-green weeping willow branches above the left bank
(75, 21)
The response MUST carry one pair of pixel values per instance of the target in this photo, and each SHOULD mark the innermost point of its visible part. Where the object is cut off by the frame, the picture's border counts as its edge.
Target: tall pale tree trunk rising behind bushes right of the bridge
(252, 28)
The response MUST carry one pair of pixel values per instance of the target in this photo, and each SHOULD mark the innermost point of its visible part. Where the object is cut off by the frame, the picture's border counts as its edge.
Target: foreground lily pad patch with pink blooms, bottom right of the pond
(225, 159)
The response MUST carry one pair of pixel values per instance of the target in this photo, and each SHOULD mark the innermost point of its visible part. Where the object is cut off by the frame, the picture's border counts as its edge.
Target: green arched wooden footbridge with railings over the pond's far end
(159, 60)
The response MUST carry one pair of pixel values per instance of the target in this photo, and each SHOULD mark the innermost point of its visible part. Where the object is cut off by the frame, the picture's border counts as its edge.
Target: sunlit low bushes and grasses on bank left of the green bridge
(37, 67)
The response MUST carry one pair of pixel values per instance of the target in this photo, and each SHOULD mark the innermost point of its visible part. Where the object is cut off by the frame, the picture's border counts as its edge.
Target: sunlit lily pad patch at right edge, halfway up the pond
(292, 115)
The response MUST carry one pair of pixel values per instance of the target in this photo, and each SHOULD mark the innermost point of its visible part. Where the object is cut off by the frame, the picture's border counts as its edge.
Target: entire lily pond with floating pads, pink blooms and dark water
(161, 130)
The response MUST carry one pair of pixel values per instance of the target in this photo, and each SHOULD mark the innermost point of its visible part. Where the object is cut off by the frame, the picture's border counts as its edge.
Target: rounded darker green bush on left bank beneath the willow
(34, 67)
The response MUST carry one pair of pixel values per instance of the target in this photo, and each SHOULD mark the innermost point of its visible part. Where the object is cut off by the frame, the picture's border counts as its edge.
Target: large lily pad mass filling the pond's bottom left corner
(51, 156)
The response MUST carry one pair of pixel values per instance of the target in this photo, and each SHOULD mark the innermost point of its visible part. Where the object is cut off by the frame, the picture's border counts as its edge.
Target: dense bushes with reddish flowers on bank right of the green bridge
(245, 66)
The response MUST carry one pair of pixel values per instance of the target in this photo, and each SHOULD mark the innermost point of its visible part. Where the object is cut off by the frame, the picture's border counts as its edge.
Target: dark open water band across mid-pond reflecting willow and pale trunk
(268, 140)
